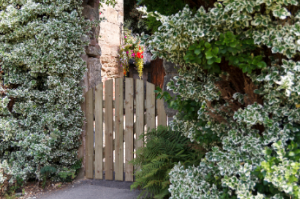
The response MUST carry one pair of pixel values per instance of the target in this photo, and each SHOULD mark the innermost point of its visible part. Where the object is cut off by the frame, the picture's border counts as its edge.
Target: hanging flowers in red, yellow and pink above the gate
(132, 50)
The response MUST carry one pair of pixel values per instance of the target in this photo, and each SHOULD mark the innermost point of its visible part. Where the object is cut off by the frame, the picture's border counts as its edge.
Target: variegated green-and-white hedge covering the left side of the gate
(40, 115)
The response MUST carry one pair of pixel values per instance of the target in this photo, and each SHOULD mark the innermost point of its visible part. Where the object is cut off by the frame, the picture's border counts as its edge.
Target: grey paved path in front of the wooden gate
(94, 189)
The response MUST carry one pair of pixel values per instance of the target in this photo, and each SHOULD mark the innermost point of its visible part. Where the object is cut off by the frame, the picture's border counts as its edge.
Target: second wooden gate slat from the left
(99, 131)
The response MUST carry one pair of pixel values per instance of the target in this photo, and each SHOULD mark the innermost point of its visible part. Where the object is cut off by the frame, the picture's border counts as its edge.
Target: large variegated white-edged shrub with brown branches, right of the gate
(239, 67)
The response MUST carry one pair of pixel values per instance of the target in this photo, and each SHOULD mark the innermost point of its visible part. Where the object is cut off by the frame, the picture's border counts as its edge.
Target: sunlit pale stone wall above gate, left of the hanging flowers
(110, 39)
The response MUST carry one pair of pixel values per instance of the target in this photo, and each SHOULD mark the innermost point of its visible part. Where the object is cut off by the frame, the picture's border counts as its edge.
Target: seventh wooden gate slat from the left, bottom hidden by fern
(150, 106)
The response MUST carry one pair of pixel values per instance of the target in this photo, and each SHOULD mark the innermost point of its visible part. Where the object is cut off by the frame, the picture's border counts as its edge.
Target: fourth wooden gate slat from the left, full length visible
(119, 125)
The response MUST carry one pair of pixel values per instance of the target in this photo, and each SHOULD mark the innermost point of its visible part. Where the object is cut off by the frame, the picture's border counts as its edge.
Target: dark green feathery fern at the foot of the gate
(163, 149)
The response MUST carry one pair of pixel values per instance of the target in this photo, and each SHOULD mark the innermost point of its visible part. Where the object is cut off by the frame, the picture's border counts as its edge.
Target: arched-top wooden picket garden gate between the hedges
(112, 130)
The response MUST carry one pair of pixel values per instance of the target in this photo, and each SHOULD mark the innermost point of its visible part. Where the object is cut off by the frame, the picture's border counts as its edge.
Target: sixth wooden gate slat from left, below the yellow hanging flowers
(139, 112)
